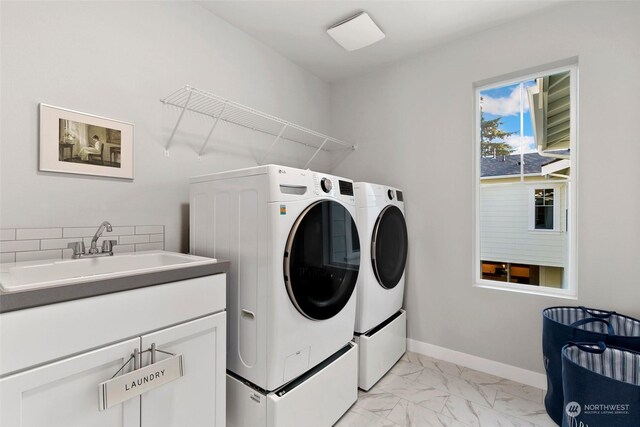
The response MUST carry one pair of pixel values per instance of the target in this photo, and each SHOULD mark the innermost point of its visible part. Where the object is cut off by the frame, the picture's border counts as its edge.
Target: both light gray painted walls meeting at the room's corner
(413, 119)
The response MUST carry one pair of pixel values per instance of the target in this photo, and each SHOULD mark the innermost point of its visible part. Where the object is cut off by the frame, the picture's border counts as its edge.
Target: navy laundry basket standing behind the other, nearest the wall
(561, 325)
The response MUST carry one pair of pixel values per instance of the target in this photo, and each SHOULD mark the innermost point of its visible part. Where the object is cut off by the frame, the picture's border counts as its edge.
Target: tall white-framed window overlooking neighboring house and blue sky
(525, 183)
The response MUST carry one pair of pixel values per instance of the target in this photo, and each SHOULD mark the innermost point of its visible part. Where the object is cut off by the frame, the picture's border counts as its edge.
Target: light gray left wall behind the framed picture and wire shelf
(117, 59)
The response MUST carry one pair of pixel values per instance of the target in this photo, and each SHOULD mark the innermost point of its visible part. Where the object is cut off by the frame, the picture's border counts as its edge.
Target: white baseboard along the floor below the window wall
(492, 367)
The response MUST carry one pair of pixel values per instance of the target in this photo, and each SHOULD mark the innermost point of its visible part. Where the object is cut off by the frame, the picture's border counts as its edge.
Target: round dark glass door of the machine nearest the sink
(322, 259)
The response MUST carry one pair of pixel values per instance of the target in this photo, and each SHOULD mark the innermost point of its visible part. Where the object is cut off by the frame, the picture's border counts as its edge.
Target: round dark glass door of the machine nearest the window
(389, 246)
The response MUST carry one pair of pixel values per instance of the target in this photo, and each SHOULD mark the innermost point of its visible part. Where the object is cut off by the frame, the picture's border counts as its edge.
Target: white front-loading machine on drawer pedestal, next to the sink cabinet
(293, 244)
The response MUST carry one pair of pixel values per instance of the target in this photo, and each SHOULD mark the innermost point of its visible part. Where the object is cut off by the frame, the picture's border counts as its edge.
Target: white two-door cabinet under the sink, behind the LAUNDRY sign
(63, 391)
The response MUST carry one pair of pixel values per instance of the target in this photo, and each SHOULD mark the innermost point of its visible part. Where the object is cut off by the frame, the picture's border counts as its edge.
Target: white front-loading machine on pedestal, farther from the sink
(380, 322)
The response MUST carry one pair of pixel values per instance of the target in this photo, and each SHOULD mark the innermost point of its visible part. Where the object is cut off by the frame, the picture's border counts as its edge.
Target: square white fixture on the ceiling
(356, 32)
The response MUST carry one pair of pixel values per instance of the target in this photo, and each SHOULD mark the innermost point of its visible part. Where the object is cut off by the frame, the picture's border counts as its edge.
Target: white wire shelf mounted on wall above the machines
(207, 104)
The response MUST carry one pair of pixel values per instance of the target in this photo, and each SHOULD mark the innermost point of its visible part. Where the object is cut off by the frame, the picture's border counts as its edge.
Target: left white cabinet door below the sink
(65, 393)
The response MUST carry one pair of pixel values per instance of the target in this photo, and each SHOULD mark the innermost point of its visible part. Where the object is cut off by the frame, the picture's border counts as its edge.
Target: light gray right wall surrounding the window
(414, 120)
